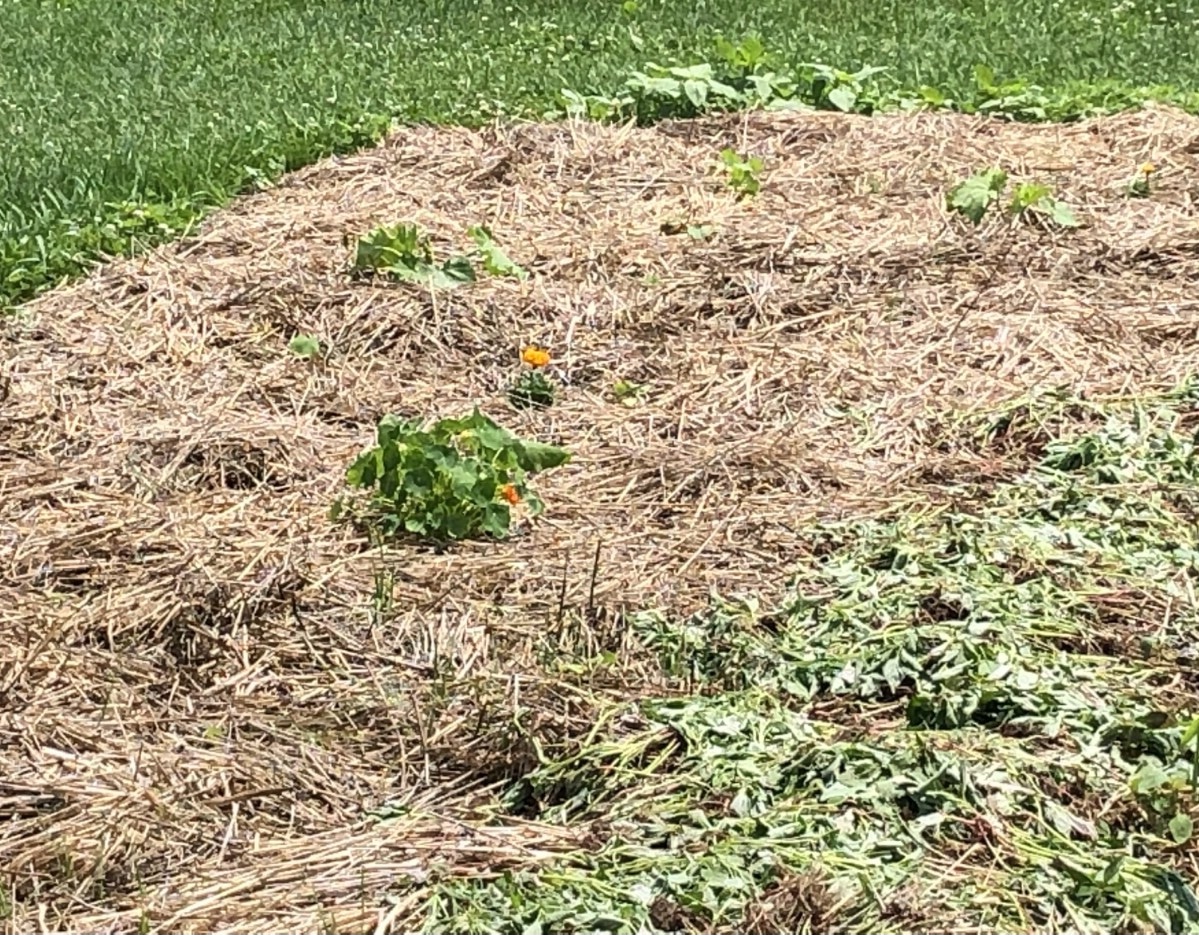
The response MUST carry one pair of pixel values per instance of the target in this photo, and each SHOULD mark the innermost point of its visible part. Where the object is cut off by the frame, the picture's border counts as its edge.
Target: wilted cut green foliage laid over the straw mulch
(973, 715)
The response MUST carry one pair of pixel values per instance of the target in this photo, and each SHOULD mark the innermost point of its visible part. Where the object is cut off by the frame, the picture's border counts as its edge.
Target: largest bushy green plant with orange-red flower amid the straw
(456, 479)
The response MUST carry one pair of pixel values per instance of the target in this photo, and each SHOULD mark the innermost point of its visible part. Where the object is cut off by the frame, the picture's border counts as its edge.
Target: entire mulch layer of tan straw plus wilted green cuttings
(873, 614)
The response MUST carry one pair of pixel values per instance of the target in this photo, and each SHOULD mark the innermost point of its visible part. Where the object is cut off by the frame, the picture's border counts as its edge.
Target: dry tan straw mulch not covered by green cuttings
(200, 705)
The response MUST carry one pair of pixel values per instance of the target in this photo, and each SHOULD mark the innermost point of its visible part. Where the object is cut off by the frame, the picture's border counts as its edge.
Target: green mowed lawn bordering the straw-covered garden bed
(124, 122)
